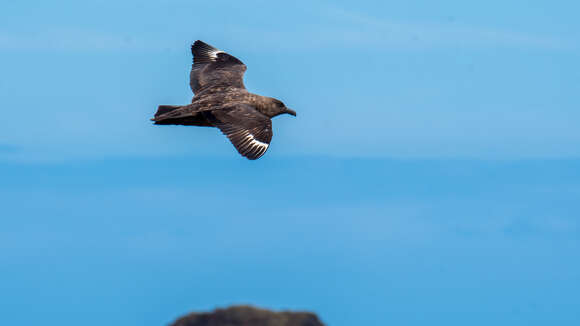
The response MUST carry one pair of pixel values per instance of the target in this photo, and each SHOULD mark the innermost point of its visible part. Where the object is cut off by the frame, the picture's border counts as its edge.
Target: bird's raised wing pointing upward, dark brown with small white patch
(213, 67)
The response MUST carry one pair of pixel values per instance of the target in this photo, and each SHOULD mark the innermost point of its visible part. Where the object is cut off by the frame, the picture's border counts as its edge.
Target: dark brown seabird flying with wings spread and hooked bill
(221, 100)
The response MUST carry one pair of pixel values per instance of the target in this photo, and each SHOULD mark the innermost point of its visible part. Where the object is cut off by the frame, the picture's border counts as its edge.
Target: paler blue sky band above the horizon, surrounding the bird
(377, 79)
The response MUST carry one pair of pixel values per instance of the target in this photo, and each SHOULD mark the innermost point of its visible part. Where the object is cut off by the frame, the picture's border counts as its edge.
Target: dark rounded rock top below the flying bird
(248, 316)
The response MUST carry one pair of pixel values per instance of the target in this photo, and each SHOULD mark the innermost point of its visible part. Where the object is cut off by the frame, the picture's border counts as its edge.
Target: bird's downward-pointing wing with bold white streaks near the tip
(249, 130)
